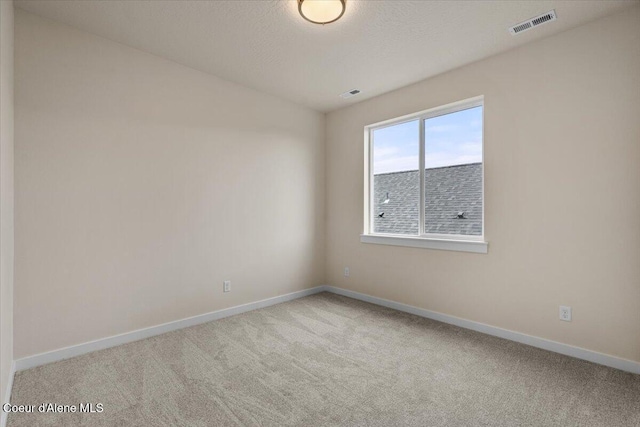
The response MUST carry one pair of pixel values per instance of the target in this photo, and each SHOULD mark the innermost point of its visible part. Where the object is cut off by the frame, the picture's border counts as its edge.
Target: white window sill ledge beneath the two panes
(476, 246)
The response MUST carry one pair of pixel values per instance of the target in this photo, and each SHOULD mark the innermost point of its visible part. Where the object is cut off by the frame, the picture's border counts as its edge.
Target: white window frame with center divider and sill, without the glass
(453, 242)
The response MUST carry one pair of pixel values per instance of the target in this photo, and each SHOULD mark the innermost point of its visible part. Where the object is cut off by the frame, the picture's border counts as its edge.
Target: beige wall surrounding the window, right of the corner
(562, 166)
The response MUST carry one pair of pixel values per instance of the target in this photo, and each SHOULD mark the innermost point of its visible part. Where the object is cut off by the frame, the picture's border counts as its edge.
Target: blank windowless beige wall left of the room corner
(142, 184)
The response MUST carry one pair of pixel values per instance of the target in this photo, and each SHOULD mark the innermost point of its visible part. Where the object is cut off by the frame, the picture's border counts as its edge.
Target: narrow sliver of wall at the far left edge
(6, 194)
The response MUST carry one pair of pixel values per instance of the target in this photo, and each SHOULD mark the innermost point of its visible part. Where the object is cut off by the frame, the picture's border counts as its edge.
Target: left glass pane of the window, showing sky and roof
(396, 180)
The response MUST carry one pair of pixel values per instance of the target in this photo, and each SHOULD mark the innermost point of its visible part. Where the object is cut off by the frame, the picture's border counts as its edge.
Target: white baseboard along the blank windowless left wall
(100, 344)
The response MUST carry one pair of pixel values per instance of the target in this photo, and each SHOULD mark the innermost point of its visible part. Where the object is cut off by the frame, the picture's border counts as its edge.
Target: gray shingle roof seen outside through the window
(448, 191)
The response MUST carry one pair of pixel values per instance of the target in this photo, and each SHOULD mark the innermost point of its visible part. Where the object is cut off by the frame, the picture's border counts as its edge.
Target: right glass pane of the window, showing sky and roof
(453, 175)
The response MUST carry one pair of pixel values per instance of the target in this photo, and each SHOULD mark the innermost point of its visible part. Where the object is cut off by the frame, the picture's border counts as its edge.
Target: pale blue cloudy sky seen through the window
(451, 139)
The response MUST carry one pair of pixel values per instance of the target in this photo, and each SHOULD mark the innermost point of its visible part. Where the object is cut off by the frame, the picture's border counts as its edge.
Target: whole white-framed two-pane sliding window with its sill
(425, 179)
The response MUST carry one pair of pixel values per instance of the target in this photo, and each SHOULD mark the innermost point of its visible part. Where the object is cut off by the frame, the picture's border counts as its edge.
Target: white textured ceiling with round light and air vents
(376, 47)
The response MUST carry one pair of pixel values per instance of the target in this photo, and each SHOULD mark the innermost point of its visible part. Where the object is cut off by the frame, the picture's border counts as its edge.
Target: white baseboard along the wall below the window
(557, 347)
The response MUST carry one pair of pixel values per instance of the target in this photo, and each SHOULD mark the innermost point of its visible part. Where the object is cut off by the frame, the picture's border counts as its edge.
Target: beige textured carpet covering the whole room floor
(329, 360)
